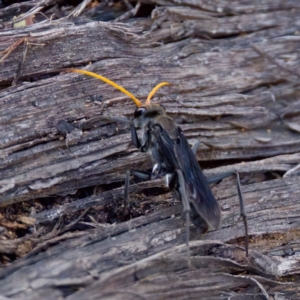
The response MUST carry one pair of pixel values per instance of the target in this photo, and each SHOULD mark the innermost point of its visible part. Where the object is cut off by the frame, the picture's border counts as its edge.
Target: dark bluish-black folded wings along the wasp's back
(178, 153)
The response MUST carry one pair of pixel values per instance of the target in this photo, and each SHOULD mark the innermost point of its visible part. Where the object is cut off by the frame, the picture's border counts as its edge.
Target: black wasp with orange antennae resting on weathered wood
(173, 158)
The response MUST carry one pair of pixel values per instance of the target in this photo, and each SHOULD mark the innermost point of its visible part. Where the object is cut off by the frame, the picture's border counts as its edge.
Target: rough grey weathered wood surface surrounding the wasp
(234, 69)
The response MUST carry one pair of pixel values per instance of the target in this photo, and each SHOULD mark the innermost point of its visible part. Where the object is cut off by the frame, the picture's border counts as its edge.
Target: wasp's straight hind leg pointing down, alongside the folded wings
(186, 209)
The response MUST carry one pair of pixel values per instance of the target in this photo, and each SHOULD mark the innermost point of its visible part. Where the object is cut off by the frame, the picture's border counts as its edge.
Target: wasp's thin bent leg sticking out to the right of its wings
(243, 214)
